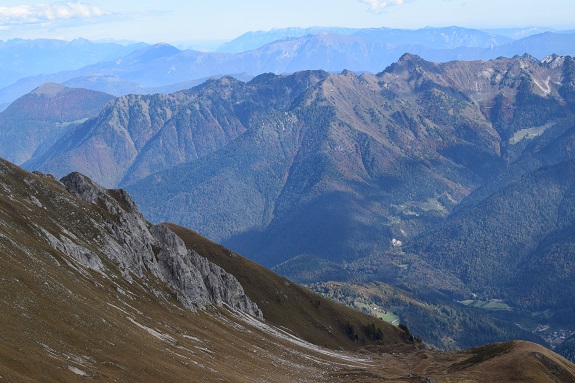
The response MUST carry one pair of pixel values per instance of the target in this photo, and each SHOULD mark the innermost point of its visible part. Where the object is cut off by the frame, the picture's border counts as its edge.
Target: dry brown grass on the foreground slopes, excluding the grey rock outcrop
(60, 322)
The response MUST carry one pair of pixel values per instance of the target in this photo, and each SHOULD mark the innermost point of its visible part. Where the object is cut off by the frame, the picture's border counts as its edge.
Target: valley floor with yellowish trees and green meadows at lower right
(486, 320)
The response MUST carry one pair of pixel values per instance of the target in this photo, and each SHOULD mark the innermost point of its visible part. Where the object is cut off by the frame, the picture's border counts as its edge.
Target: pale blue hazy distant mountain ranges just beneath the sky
(162, 67)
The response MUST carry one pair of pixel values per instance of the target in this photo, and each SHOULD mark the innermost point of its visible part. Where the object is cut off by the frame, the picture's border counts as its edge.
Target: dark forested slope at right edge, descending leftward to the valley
(516, 244)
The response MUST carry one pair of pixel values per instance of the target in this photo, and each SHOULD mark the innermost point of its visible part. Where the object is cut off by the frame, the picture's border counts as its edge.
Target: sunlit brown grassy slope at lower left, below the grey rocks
(61, 322)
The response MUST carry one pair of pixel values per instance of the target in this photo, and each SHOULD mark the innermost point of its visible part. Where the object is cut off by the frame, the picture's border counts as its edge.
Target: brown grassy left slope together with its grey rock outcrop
(92, 290)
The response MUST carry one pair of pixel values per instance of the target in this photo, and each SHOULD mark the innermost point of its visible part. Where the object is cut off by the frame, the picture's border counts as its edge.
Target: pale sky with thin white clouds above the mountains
(181, 22)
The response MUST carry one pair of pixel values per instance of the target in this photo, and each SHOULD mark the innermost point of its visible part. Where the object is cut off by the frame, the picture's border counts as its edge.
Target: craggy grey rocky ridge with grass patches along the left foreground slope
(141, 252)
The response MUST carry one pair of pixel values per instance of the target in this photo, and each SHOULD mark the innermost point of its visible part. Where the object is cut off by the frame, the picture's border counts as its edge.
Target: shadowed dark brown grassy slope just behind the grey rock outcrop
(286, 304)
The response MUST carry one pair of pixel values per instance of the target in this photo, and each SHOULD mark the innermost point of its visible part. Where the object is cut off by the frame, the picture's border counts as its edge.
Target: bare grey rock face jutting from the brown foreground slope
(139, 248)
